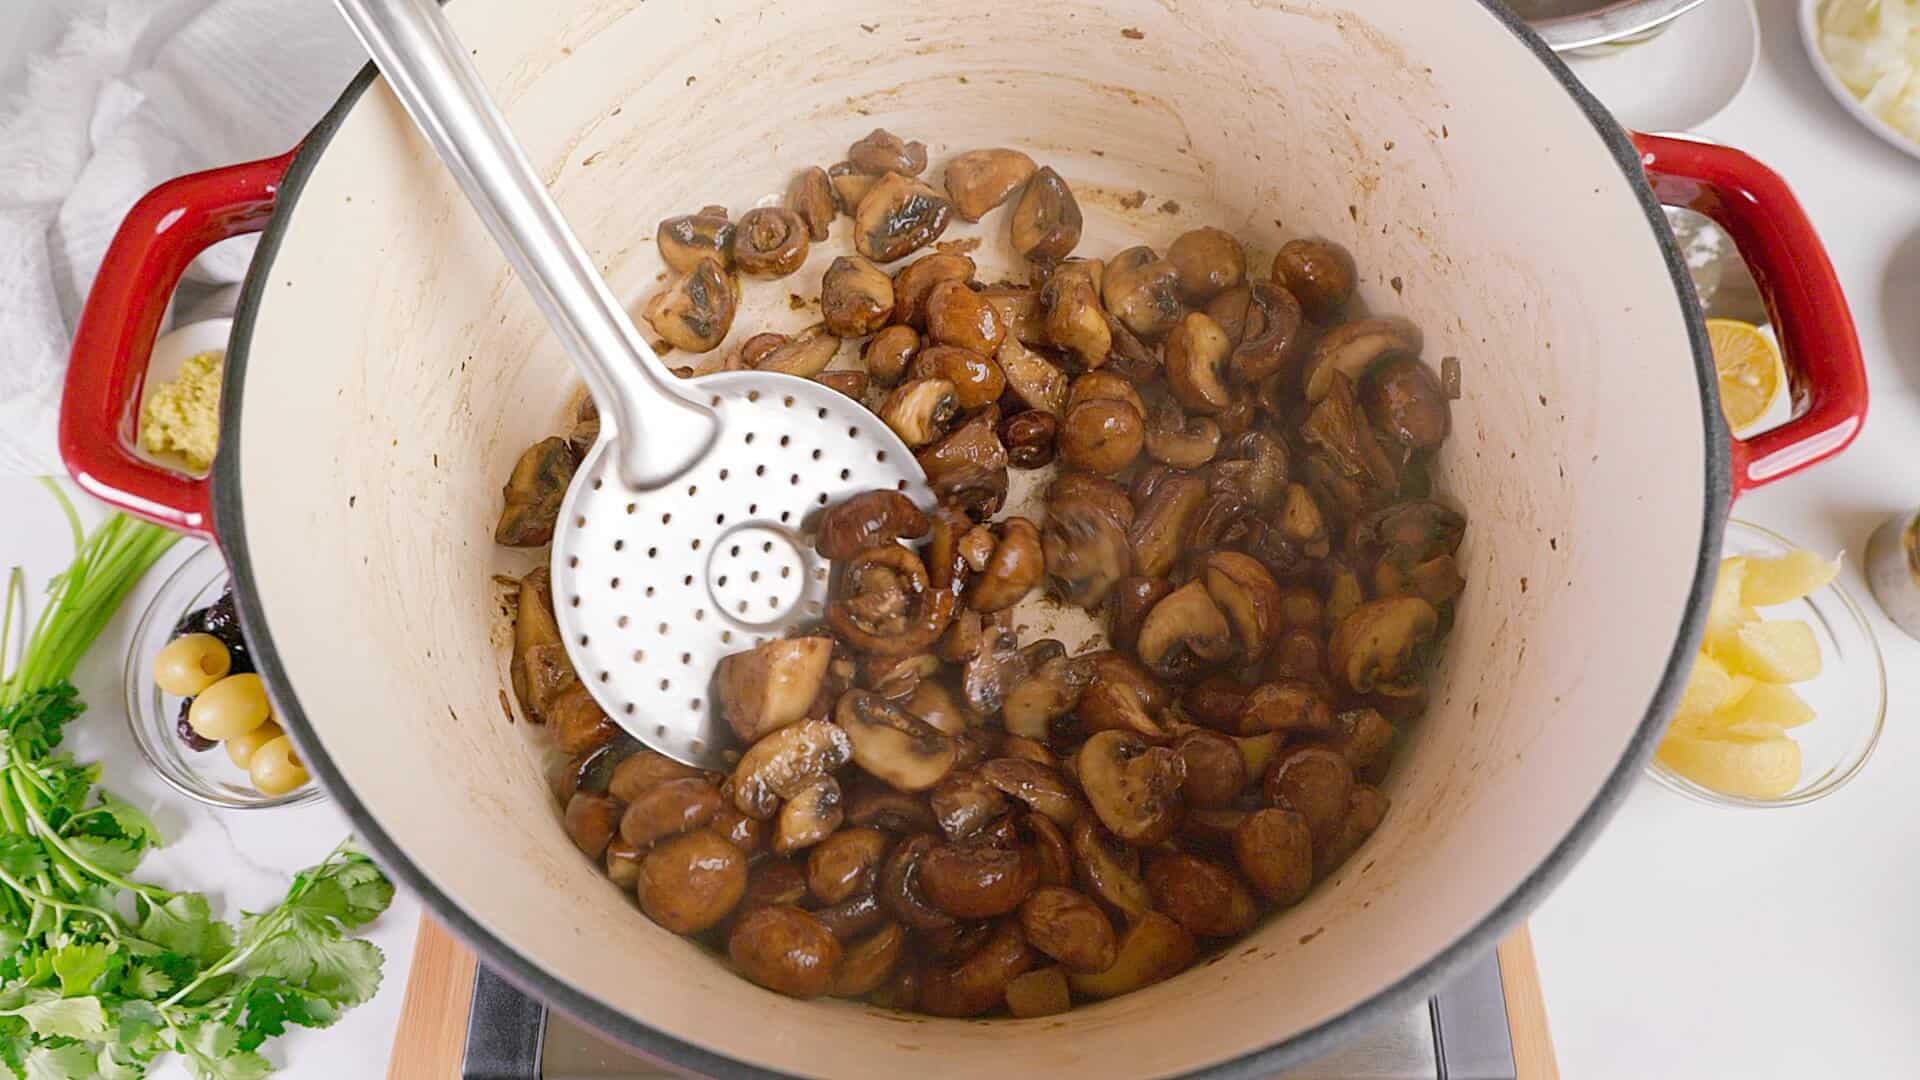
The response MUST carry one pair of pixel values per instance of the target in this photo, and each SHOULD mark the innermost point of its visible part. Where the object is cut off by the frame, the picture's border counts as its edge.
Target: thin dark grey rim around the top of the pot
(229, 518)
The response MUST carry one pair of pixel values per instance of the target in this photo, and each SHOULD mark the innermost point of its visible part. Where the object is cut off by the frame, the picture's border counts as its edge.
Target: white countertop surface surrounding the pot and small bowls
(1689, 943)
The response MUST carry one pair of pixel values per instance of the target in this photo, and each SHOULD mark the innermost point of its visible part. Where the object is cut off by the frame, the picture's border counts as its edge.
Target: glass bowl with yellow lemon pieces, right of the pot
(1788, 693)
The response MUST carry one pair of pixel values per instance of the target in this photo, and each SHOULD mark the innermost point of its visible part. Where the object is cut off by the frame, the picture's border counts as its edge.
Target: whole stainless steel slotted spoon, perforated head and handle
(683, 535)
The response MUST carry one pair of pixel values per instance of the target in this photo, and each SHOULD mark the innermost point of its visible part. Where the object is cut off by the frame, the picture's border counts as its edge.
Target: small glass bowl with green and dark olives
(195, 704)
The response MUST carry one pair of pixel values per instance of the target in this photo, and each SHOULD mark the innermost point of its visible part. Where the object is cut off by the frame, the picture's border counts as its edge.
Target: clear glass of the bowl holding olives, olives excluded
(204, 775)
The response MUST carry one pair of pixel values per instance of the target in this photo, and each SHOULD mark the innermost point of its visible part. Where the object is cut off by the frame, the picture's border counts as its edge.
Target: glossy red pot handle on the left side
(99, 408)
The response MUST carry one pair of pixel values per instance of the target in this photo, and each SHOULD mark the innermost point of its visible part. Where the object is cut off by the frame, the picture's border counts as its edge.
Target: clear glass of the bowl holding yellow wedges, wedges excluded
(1850, 697)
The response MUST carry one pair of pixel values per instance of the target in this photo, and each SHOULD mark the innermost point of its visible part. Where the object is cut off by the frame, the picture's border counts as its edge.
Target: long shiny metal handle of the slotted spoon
(660, 428)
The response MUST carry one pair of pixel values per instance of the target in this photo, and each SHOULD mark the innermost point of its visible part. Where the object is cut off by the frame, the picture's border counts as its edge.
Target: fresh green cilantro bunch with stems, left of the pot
(103, 973)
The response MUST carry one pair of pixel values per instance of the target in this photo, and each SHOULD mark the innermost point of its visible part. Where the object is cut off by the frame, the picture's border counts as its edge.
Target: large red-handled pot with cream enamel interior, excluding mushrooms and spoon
(387, 372)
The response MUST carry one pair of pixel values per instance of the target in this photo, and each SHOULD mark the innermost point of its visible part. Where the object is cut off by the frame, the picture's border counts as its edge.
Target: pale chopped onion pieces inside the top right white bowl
(1875, 51)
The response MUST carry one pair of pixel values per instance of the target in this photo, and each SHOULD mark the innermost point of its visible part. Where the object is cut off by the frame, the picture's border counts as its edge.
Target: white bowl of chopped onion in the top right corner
(1869, 57)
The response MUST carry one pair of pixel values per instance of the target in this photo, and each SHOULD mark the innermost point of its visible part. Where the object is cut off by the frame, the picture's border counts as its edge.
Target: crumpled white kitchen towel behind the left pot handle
(135, 93)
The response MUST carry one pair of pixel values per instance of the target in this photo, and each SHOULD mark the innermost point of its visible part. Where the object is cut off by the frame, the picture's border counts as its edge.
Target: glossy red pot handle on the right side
(1802, 293)
